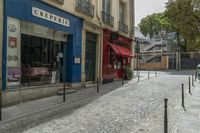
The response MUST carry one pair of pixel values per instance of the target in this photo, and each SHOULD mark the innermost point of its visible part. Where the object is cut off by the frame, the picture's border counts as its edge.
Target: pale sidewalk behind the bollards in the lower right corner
(190, 120)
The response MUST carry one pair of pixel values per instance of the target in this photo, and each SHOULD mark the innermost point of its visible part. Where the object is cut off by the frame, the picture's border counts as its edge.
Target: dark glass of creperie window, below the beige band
(41, 60)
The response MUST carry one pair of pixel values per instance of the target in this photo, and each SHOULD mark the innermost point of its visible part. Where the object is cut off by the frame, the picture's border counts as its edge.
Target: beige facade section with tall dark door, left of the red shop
(92, 35)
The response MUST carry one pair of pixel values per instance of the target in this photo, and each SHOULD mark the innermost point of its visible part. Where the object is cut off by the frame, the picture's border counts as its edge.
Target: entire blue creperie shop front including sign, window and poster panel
(42, 45)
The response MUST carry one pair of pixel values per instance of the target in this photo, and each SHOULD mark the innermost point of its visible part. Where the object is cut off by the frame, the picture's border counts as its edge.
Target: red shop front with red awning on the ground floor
(116, 55)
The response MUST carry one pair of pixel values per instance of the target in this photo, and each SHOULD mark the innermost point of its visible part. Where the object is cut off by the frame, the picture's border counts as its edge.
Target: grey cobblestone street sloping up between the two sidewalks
(133, 108)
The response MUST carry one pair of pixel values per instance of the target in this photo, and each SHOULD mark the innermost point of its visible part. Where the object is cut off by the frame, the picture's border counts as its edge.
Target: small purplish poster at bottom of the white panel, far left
(13, 76)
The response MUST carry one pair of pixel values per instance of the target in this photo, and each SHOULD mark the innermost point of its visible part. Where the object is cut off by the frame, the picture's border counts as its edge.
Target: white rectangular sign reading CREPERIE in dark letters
(50, 17)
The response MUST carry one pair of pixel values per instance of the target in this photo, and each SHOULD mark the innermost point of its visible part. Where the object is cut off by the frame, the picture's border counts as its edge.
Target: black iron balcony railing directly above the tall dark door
(85, 7)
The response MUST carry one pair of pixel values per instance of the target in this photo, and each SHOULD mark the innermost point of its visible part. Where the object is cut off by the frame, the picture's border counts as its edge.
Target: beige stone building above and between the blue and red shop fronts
(114, 15)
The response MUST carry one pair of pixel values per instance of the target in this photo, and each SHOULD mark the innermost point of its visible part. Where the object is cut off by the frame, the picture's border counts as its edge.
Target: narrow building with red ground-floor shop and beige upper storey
(118, 22)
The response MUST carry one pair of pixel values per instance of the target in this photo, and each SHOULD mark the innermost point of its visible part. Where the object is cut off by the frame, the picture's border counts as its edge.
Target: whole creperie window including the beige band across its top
(41, 54)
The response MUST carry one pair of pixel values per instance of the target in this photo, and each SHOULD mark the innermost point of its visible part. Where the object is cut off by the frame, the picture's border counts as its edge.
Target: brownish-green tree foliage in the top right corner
(184, 15)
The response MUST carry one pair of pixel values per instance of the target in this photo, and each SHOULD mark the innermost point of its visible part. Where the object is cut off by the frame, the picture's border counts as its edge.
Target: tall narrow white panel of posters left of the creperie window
(13, 52)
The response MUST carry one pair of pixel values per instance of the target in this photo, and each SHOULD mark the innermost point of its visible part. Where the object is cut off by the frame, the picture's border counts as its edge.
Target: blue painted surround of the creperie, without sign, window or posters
(23, 10)
